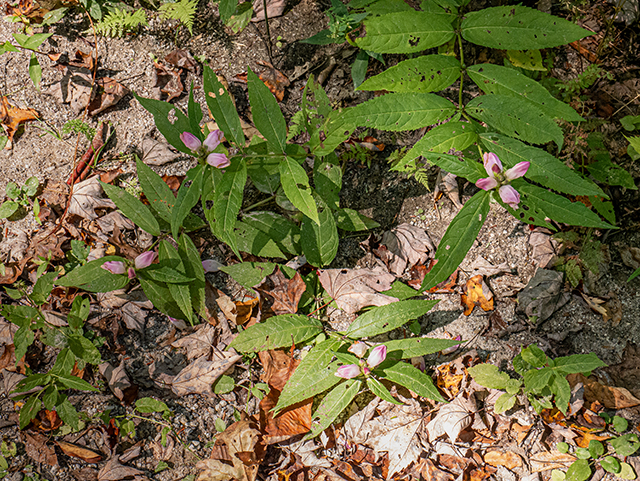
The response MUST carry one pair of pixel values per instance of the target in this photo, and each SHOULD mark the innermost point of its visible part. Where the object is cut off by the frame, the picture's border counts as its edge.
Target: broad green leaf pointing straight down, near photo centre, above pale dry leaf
(319, 241)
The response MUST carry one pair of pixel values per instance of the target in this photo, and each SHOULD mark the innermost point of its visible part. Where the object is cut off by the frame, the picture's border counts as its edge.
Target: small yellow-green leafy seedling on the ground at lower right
(543, 379)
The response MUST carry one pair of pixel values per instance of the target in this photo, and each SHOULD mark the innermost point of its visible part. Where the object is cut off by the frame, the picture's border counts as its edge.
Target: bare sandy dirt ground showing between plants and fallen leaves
(389, 198)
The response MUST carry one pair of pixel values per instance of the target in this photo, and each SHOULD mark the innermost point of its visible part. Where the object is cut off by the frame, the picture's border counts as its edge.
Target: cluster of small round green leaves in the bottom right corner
(602, 453)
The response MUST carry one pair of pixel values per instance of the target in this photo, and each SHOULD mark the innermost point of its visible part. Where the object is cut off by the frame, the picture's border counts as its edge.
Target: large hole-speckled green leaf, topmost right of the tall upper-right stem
(518, 28)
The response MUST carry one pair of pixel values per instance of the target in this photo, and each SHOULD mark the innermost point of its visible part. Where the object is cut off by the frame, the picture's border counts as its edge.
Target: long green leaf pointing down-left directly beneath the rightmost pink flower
(458, 239)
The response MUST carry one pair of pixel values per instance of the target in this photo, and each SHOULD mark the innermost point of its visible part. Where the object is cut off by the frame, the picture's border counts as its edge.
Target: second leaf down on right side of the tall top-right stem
(495, 79)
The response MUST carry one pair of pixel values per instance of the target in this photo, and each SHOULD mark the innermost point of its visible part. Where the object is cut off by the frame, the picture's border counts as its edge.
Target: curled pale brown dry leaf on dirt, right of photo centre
(407, 246)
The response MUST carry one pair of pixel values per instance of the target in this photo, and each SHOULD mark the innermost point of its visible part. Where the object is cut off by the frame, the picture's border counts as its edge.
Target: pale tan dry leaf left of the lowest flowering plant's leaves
(198, 376)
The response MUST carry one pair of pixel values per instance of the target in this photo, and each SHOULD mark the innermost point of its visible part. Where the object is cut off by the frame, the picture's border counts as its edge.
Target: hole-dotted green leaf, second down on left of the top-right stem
(427, 73)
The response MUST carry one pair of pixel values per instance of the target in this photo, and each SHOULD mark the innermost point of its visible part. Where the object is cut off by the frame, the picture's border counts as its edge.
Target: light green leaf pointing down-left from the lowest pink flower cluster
(314, 374)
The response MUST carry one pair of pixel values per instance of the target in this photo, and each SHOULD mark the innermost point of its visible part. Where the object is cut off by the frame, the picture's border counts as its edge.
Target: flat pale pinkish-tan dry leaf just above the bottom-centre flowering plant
(353, 289)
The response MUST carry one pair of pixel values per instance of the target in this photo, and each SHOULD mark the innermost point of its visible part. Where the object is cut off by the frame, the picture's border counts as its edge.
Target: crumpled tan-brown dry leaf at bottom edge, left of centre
(242, 451)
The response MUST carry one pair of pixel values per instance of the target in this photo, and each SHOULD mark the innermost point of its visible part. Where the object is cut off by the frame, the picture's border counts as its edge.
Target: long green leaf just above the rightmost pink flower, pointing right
(544, 169)
